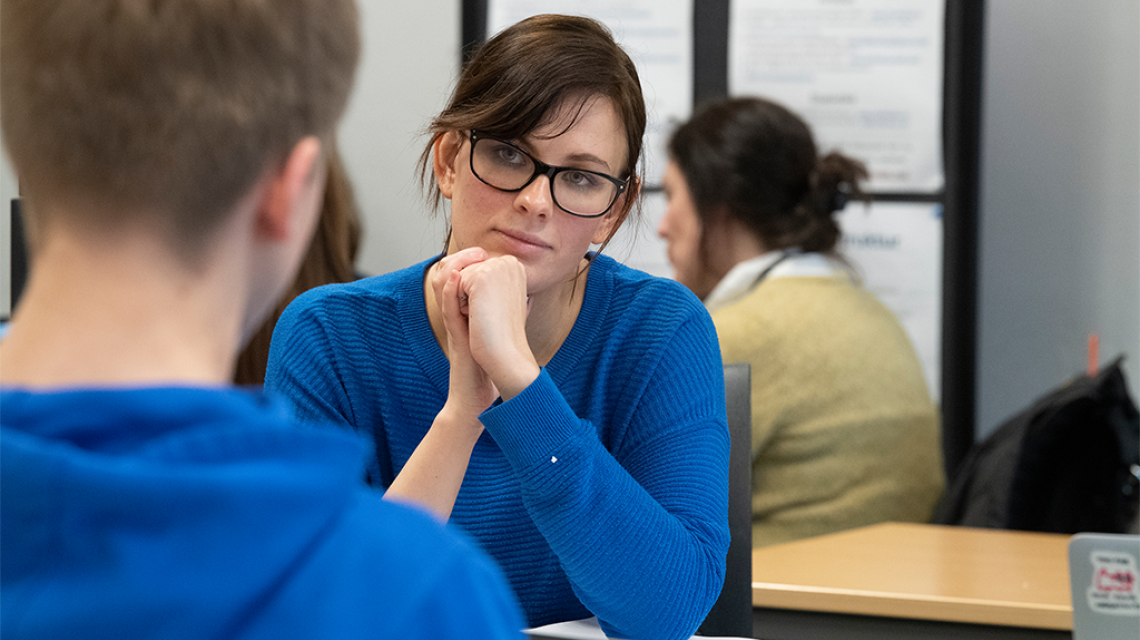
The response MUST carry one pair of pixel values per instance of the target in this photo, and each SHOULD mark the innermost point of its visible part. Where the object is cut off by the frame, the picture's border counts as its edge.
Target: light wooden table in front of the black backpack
(914, 581)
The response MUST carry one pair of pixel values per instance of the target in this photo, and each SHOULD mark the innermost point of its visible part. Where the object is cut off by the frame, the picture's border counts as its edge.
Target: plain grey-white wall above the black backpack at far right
(1061, 197)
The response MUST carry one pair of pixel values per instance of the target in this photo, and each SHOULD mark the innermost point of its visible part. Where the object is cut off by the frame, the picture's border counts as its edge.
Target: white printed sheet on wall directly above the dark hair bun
(866, 75)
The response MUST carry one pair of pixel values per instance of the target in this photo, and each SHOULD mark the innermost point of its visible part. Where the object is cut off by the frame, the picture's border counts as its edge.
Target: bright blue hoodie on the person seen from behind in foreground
(189, 513)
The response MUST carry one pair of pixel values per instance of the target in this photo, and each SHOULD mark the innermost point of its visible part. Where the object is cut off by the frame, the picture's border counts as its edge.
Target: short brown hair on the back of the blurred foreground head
(111, 109)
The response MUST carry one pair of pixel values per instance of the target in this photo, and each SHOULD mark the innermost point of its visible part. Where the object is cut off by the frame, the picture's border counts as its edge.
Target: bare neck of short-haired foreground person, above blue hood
(131, 317)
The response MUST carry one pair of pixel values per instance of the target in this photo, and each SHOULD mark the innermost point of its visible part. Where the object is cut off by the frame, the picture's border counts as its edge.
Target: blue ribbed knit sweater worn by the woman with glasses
(601, 490)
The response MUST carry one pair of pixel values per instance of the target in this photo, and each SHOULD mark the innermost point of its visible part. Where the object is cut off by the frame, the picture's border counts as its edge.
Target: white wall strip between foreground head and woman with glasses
(411, 60)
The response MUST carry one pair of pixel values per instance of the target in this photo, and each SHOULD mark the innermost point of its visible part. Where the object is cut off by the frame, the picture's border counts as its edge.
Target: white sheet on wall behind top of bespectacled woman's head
(659, 39)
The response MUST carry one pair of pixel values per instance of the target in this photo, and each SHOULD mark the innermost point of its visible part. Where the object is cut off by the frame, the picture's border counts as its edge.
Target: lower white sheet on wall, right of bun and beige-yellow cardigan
(897, 249)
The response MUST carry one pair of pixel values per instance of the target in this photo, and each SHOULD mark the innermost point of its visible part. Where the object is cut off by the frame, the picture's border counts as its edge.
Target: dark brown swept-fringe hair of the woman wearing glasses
(515, 83)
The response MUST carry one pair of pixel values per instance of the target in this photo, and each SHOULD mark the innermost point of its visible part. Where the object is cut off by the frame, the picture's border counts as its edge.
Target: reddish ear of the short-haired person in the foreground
(294, 193)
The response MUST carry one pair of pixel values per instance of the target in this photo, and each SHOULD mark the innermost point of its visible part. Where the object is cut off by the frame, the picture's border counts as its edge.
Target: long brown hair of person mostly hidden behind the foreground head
(331, 258)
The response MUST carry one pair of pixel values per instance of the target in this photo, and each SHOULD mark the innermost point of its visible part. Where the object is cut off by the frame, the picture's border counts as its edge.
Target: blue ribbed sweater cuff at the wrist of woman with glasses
(533, 426)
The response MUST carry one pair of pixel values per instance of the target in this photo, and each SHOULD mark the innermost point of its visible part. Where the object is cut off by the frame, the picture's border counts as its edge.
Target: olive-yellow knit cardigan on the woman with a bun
(844, 431)
